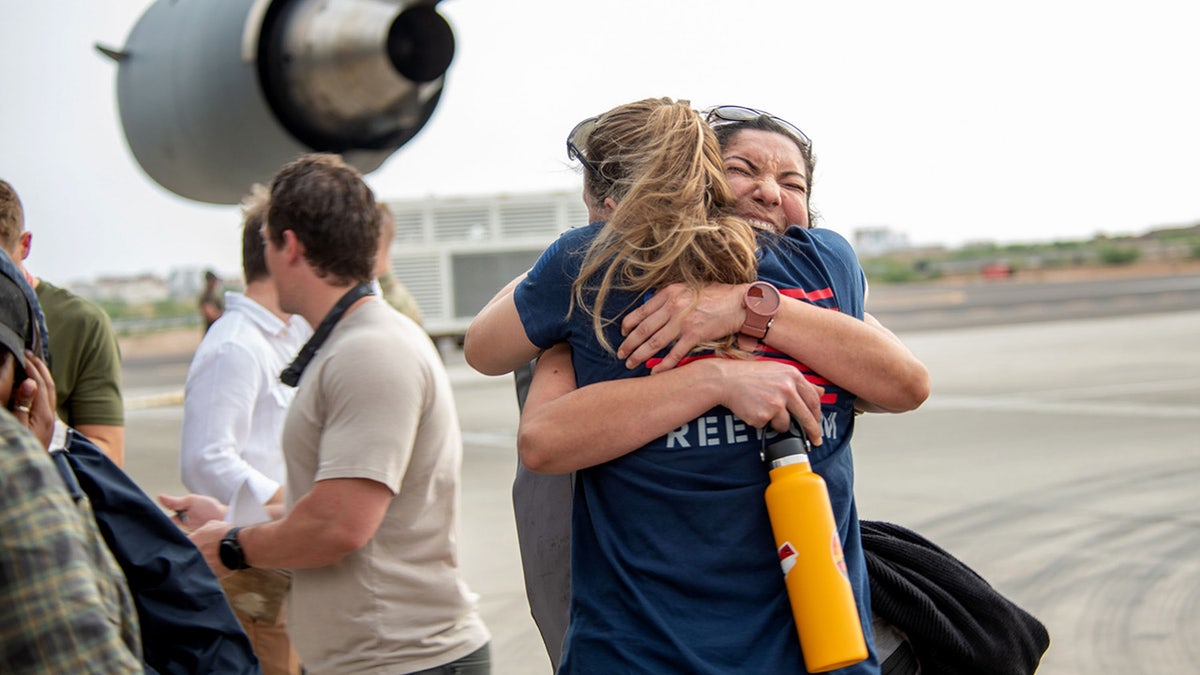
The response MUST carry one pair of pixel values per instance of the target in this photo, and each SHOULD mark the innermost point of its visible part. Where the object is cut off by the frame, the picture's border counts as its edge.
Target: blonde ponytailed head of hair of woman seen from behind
(662, 165)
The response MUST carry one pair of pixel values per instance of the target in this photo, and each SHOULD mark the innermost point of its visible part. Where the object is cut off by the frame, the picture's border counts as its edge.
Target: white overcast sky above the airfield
(947, 121)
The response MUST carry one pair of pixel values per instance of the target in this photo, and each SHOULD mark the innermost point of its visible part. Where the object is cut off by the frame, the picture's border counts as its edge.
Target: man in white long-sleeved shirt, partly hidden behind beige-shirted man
(235, 408)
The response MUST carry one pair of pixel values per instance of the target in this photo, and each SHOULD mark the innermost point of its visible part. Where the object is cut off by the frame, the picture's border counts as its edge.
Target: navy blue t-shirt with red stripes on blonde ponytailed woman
(674, 565)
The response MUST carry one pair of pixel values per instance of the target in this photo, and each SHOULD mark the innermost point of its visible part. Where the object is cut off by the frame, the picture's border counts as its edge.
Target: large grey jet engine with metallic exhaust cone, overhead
(218, 95)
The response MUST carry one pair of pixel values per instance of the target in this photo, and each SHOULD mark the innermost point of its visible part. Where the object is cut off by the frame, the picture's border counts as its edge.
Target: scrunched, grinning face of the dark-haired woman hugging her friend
(770, 178)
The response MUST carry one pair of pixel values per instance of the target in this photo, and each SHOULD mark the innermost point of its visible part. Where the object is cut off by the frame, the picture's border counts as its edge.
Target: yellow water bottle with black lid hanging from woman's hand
(814, 565)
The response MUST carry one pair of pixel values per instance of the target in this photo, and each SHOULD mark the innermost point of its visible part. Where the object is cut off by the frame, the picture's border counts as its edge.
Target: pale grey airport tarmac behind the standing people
(1060, 459)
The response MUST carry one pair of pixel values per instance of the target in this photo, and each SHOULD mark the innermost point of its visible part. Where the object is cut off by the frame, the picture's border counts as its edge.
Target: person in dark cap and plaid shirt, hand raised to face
(64, 605)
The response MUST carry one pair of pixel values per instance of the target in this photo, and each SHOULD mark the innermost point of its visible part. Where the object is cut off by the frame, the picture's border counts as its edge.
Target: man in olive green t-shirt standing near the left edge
(86, 359)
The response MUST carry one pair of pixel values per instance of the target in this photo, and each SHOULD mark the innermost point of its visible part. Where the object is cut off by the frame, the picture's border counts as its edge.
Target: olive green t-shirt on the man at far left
(86, 361)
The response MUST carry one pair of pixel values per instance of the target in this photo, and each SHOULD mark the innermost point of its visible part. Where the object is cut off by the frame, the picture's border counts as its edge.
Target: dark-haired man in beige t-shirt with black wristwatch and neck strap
(374, 455)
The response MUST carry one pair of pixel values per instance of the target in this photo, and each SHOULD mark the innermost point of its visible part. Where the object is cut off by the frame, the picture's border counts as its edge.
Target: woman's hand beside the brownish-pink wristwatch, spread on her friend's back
(679, 315)
